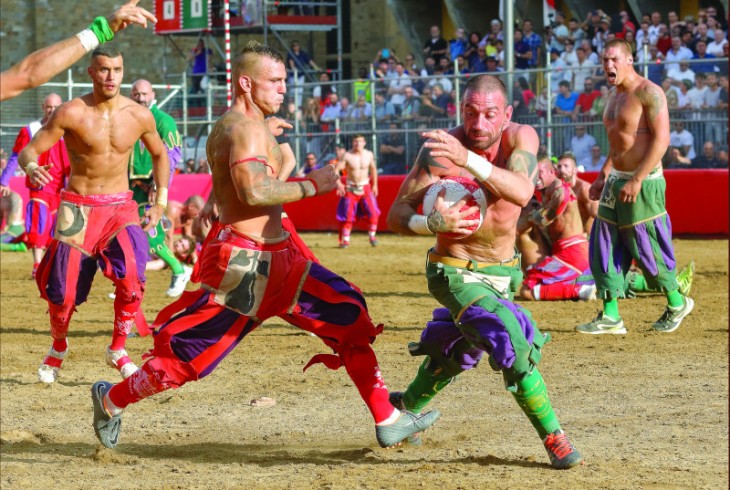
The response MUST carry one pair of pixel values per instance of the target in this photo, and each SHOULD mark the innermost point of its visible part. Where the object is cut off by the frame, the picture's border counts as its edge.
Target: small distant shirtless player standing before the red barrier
(359, 194)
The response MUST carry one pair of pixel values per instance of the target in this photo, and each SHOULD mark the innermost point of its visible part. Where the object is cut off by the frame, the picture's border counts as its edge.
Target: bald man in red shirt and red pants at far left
(43, 201)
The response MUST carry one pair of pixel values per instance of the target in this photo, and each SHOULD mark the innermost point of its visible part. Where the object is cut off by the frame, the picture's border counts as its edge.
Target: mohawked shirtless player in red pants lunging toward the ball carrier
(251, 271)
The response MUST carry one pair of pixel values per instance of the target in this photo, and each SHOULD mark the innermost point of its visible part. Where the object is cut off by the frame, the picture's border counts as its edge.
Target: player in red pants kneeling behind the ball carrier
(559, 269)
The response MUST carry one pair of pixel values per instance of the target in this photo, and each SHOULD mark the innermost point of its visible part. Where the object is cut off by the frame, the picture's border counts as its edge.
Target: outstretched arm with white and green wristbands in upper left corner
(42, 65)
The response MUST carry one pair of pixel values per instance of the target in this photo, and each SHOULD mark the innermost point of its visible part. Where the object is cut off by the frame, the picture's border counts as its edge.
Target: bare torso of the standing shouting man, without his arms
(627, 128)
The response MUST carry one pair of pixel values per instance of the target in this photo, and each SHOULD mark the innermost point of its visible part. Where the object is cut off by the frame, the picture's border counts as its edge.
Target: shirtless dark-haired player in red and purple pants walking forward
(97, 223)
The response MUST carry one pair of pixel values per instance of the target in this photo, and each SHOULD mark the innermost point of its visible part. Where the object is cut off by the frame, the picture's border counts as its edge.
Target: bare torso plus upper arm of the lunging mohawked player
(236, 135)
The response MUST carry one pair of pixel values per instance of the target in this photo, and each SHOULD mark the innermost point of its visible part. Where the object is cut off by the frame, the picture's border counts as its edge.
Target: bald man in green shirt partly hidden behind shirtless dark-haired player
(141, 183)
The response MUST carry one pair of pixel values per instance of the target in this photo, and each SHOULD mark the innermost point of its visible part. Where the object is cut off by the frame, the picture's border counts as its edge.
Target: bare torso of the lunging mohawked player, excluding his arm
(263, 221)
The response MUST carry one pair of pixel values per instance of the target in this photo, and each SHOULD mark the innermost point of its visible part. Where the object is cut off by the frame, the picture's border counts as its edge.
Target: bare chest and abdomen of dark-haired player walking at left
(99, 139)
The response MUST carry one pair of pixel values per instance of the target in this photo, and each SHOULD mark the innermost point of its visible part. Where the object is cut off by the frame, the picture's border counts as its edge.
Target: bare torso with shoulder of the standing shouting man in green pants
(633, 118)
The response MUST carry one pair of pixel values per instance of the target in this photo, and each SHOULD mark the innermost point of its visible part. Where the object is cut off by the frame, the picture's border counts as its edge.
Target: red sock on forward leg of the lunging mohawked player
(362, 366)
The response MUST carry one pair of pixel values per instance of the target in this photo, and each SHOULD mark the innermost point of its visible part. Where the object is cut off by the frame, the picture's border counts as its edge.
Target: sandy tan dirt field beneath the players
(647, 410)
